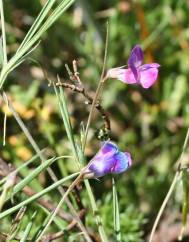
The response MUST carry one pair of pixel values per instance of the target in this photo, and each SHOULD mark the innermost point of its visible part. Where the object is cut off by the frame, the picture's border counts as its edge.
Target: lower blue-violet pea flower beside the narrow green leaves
(109, 160)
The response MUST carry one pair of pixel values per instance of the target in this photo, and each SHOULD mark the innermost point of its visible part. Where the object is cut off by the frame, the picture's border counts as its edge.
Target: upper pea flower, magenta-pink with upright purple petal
(144, 75)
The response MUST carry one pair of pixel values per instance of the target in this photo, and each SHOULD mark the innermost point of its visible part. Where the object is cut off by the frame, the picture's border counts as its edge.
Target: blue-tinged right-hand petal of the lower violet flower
(122, 162)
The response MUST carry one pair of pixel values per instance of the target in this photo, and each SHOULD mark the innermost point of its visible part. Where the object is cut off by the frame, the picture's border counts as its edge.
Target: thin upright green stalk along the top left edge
(3, 33)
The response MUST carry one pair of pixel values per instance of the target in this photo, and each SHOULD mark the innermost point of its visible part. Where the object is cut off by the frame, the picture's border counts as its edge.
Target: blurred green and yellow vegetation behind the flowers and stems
(151, 124)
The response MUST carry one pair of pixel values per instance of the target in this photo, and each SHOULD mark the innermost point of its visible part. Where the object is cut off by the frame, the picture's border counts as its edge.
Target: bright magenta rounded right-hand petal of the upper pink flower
(148, 74)
